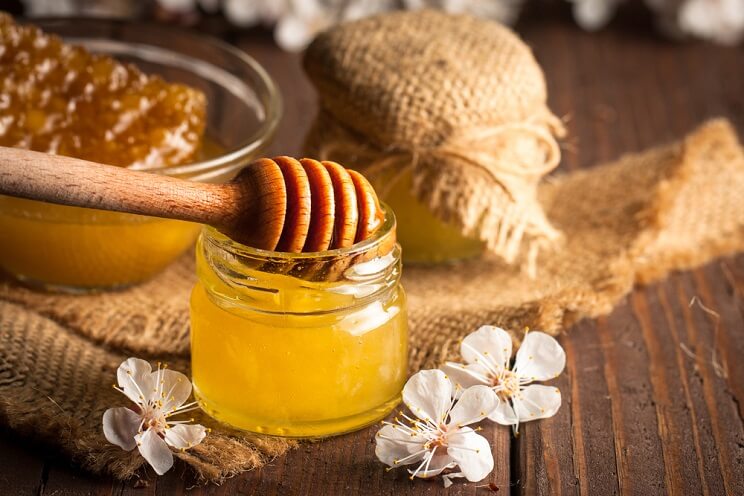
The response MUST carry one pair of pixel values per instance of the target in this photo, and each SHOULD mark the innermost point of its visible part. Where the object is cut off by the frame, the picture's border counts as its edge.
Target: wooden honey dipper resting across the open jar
(280, 204)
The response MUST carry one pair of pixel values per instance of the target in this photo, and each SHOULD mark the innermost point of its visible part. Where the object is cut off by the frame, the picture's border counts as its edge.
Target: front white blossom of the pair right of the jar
(438, 438)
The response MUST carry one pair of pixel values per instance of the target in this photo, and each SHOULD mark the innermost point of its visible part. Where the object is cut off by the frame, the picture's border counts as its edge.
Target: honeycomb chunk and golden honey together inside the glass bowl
(61, 99)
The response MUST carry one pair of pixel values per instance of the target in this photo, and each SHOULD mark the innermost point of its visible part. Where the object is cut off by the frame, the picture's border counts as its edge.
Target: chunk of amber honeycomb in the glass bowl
(62, 99)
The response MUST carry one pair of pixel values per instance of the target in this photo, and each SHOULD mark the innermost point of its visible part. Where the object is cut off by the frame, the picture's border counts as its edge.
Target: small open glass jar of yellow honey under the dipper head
(299, 345)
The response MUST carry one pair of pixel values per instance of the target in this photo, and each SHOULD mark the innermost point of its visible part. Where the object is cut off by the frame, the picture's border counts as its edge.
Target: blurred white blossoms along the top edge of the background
(295, 22)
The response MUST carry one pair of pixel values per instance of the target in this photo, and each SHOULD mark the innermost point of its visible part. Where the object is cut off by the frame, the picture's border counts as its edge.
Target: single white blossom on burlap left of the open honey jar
(158, 395)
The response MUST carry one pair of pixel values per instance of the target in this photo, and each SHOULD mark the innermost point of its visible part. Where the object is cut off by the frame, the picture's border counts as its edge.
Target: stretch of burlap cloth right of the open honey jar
(684, 177)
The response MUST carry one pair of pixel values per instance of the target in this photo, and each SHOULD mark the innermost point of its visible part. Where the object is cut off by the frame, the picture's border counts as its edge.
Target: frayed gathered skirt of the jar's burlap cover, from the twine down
(476, 181)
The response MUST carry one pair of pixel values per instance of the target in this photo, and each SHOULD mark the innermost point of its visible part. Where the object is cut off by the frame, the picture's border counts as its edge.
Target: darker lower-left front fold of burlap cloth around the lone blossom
(55, 386)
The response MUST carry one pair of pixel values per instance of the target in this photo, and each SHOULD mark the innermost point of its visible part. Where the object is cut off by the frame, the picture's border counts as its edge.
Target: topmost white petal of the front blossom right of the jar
(428, 394)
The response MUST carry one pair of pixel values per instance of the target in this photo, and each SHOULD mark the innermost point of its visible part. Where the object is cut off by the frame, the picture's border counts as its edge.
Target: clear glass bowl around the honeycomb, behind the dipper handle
(72, 249)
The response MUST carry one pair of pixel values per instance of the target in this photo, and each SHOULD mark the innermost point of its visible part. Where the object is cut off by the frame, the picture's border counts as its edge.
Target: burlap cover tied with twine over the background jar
(458, 101)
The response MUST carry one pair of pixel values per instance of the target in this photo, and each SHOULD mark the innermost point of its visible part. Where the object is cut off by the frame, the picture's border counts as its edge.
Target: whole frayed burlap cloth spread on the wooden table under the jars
(630, 221)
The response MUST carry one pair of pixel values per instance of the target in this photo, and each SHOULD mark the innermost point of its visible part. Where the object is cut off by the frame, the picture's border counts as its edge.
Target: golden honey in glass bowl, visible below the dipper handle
(66, 248)
